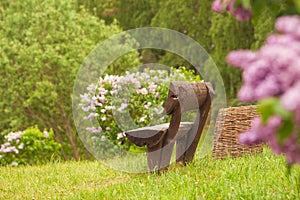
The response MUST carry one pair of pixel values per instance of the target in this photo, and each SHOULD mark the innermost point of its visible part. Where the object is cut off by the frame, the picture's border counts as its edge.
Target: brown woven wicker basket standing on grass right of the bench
(231, 122)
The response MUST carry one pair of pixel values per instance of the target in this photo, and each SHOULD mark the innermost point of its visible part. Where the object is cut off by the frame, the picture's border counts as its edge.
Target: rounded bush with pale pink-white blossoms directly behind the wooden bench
(126, 102)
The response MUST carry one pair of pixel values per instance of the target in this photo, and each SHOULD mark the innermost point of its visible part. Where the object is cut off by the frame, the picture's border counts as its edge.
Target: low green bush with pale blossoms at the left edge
(31, 146)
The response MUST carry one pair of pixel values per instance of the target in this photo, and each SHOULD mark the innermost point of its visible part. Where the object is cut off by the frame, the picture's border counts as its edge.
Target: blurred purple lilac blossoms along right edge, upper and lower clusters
(273, 71)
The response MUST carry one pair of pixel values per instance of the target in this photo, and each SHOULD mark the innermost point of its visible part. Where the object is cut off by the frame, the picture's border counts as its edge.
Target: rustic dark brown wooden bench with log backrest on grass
(160, 139)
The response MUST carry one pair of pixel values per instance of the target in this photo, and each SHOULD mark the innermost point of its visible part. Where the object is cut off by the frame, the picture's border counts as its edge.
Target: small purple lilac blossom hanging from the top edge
(238, 11)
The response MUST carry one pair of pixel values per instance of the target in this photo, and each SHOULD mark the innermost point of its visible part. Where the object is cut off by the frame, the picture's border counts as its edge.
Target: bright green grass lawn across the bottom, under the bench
(262, 176)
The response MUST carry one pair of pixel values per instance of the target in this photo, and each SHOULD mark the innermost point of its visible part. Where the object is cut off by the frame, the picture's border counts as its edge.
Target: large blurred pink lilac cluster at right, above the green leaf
(271, 70)
